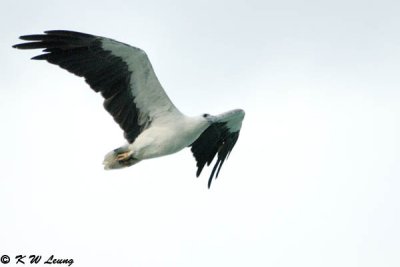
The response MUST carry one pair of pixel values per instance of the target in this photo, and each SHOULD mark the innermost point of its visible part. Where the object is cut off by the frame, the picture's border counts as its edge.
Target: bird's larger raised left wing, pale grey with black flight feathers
(121, 73)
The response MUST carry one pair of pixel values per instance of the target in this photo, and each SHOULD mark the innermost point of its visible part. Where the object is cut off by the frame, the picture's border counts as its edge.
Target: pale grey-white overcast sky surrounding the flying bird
(312, 181)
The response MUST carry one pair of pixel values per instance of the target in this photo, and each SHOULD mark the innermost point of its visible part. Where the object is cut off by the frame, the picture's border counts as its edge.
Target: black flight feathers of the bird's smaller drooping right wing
(215, 139)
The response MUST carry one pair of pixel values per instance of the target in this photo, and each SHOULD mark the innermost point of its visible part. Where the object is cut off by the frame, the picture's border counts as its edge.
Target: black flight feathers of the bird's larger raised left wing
(82, 55)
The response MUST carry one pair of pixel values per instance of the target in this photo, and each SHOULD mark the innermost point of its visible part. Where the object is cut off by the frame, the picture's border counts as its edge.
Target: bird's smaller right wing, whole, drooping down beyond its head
(220, 137)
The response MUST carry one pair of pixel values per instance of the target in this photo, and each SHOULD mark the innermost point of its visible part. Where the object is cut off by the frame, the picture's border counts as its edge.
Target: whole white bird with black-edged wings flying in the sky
(134, 97)
